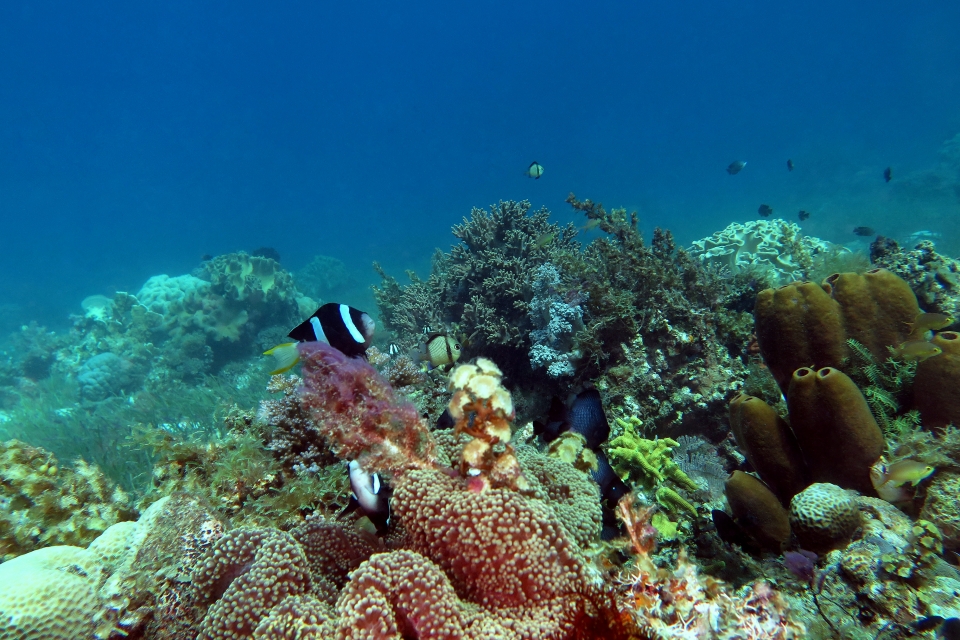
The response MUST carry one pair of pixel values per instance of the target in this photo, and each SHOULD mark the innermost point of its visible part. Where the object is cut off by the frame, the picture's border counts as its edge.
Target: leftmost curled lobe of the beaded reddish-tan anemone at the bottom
(243, 576)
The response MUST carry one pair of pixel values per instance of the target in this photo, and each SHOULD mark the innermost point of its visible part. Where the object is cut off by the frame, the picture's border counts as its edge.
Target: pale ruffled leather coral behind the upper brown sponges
(775, 245)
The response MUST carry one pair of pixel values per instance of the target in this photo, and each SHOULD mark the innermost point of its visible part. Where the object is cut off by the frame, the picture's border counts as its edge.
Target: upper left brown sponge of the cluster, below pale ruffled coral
(798, 325)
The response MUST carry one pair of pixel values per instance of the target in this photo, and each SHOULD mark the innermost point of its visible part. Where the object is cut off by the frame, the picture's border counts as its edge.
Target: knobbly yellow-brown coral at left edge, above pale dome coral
(43, 503)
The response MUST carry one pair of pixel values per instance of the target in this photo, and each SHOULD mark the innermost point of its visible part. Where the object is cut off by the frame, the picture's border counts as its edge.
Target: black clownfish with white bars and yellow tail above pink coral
(342, 327)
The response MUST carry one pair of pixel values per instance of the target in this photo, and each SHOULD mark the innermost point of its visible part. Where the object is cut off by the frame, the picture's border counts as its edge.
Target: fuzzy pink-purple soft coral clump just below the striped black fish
(359, 413)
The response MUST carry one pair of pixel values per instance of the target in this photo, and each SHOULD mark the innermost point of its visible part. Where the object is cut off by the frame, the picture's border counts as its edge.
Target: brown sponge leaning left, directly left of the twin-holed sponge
(769, 445)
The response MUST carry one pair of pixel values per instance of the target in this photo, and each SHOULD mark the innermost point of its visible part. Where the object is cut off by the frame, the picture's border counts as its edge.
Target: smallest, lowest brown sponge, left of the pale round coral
(758, 511)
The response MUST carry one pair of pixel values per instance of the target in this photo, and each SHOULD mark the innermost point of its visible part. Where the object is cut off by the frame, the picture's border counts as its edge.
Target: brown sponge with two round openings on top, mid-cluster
(837, 434)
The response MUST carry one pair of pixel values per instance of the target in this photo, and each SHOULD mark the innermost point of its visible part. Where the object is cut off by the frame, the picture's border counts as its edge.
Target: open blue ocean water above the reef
(136, 137)
